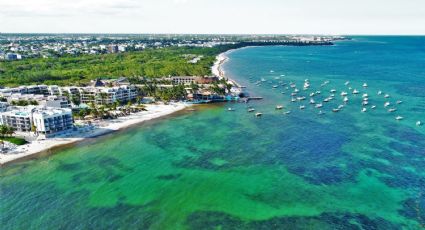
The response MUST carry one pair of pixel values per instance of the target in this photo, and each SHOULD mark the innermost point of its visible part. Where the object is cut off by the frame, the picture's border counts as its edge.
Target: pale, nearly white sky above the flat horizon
(339, 17)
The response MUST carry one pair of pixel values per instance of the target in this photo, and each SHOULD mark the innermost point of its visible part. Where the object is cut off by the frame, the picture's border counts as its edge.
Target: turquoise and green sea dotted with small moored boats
(215, 169)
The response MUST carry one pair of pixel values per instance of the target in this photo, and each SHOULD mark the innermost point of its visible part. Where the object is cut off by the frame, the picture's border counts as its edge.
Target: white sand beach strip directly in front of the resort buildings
(104, 127)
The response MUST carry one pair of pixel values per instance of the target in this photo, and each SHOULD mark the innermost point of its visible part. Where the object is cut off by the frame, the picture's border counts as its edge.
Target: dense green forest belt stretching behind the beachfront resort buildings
(81, 69)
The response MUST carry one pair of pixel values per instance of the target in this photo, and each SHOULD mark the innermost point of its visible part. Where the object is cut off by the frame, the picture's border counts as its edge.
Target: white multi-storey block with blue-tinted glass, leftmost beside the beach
(44, 120)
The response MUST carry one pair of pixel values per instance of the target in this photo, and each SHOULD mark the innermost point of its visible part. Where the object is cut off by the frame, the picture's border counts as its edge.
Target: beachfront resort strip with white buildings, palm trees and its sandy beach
(38, 117)
